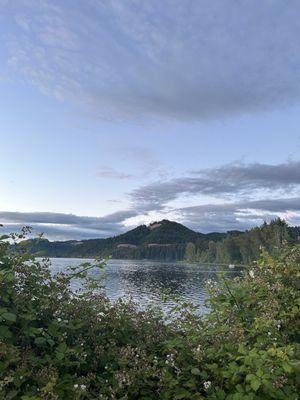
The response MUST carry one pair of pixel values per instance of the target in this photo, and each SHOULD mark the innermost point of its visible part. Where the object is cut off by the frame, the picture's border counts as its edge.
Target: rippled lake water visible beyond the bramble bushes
(144, 280)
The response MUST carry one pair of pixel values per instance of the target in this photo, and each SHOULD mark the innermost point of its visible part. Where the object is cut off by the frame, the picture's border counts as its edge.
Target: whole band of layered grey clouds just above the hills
(224, 185)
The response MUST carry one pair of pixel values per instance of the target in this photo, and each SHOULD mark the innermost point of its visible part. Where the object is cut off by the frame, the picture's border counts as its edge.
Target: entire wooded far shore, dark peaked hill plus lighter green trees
(167, 240)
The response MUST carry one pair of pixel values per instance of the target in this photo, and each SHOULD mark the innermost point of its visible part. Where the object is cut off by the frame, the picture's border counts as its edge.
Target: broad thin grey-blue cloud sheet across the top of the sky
(172, 59)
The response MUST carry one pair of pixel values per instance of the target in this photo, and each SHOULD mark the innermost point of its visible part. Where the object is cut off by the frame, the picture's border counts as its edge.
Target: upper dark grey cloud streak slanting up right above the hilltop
(228, 180)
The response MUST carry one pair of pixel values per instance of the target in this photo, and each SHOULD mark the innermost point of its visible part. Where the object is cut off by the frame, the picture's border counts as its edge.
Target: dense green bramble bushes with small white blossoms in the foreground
(57, 344)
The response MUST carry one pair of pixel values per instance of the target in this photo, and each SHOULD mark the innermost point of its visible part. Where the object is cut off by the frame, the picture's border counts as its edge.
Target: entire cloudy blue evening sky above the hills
(115, 113)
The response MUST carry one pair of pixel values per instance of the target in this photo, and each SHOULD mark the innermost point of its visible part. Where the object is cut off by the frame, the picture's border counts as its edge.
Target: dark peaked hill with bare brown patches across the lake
(160, 240)
